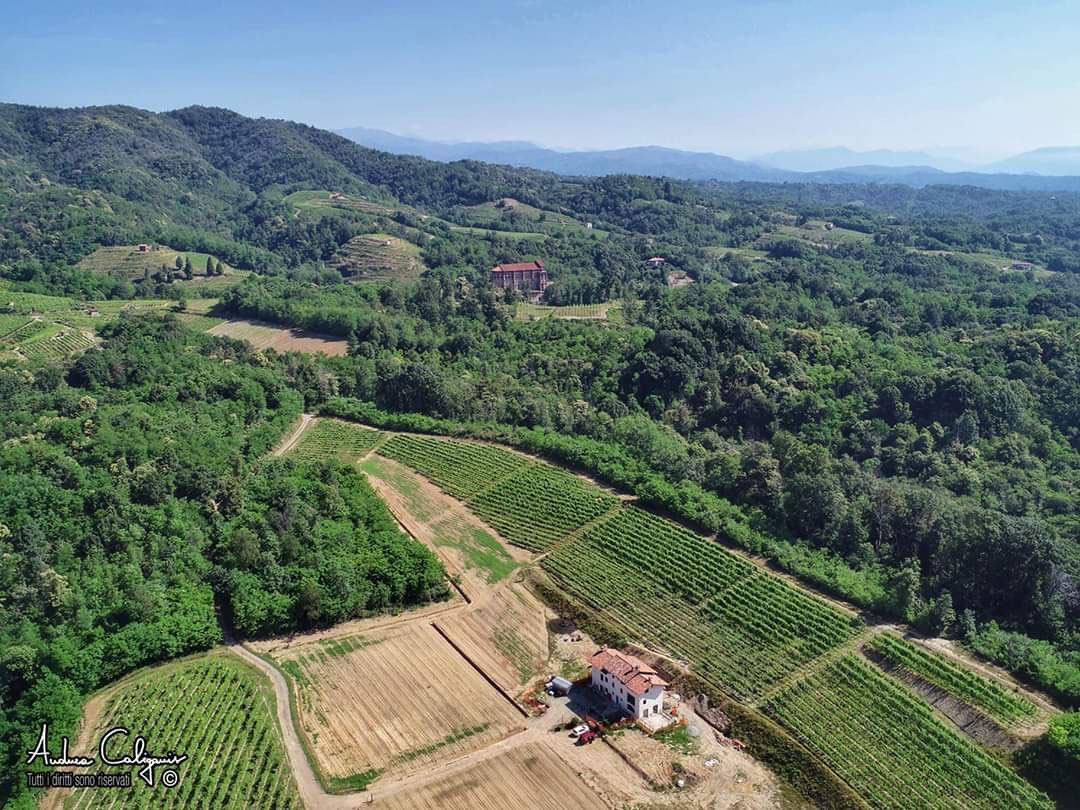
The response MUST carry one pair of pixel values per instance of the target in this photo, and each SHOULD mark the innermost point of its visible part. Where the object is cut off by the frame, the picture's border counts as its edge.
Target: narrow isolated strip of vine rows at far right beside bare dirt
(958, 682)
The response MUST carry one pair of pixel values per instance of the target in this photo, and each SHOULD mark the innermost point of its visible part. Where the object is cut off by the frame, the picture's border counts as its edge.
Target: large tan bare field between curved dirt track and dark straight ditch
(393, 703)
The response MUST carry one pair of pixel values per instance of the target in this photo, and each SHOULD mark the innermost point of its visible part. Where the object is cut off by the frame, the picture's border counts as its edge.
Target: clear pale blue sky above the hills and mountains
(740, 78)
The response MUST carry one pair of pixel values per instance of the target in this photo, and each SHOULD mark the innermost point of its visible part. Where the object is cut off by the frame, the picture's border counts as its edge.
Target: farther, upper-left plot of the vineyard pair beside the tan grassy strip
(458, 468)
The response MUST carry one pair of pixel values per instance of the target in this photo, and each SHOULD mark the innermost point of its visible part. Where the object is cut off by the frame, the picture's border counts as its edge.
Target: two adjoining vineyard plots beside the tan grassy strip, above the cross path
(533, 505)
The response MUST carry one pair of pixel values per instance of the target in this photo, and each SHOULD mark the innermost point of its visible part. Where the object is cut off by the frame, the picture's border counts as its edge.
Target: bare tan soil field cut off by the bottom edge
(521, 779)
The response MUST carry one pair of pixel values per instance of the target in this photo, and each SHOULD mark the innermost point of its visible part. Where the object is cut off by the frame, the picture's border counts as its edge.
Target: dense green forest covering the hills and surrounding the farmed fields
(876, 387)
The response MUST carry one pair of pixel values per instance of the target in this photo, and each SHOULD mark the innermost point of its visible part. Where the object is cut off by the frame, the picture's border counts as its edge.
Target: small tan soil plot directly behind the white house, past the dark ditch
(507, 637)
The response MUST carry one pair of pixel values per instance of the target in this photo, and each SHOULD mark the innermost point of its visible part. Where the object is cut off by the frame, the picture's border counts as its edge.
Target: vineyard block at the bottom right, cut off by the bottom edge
(892, 748)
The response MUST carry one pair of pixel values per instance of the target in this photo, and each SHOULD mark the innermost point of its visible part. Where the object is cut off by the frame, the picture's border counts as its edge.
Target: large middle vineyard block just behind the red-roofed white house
(741, 630)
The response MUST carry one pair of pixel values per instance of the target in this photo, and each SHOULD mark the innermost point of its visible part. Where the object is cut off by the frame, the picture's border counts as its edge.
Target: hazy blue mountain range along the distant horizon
(1056, 169)
